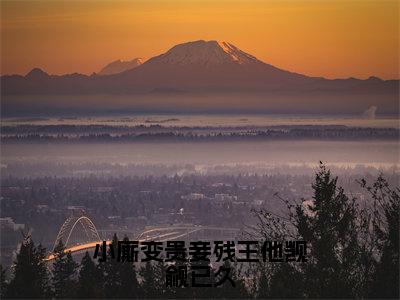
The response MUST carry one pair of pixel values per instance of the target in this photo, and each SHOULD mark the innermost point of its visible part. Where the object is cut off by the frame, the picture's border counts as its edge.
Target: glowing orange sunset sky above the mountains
(320, 38)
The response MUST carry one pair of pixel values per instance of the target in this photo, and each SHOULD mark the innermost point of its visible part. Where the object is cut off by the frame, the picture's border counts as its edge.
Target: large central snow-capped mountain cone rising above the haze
(207, 65)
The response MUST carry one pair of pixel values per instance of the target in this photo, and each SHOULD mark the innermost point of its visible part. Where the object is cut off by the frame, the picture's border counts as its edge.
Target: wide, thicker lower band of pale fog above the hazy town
(379, 154)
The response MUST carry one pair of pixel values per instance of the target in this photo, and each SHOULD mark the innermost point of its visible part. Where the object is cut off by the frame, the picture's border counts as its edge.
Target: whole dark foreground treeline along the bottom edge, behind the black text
(354, 253)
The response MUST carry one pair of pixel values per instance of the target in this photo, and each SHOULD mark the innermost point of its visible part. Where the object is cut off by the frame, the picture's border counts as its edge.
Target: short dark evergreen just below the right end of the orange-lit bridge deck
(89, 279)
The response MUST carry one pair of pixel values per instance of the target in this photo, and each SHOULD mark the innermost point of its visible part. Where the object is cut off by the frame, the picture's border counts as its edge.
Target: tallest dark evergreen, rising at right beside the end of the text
(329, 224)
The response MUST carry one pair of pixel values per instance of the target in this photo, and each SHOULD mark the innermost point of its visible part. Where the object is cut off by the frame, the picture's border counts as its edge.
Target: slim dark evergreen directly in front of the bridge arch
(64, 273)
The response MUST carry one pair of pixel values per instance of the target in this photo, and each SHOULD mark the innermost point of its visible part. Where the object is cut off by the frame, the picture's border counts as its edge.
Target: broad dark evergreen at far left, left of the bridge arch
(30, 274)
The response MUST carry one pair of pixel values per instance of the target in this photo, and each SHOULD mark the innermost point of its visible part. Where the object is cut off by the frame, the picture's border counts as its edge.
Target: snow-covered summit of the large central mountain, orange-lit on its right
(206, 53)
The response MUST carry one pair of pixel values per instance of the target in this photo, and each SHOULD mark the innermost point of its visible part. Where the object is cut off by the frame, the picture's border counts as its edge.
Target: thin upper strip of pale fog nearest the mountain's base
(215, 120)
